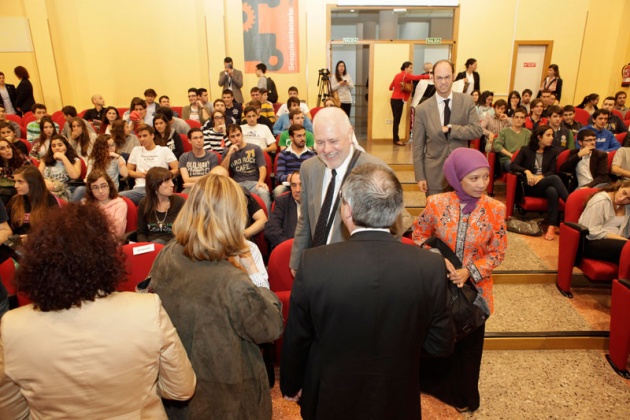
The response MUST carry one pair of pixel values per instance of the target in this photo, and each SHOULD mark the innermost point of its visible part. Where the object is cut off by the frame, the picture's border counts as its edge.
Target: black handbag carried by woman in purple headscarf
(467, 315)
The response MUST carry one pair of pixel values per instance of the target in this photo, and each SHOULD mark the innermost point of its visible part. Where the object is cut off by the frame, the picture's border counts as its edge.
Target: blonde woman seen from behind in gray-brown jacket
(221, 308)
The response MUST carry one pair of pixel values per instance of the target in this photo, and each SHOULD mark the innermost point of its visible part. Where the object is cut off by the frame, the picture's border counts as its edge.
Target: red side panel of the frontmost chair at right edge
(619, 347)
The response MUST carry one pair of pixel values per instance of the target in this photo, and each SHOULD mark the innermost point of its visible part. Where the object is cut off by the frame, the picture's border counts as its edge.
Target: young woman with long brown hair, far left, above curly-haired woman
(31, 203)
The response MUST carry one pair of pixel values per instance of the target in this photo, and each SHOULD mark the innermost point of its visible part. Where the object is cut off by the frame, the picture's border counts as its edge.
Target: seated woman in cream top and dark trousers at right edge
(607, 217)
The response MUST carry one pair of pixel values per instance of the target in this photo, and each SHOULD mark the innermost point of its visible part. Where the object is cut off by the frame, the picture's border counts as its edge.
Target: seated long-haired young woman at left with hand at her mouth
(60, 166)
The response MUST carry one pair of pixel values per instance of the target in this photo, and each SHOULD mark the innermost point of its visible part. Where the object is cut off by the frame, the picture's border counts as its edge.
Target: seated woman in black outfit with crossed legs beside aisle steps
(537, 161)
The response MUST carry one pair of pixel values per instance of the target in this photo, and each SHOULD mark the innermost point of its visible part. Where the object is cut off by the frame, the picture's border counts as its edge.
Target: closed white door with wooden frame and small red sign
(529, 64)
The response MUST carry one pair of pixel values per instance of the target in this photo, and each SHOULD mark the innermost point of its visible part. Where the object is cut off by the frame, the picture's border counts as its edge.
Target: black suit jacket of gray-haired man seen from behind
(361, 313)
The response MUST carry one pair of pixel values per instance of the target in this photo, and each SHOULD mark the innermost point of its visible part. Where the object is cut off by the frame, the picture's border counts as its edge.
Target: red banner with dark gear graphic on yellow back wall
(270, 35)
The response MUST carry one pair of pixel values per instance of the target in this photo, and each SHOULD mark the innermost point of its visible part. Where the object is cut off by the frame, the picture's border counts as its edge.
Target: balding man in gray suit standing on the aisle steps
(443, 123)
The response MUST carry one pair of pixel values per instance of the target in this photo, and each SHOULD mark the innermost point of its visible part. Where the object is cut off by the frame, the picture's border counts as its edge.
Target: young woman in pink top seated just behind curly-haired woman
(100, 190)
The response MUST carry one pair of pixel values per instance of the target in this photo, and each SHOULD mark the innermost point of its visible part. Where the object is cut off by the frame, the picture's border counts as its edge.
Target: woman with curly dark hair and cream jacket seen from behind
(79, 332)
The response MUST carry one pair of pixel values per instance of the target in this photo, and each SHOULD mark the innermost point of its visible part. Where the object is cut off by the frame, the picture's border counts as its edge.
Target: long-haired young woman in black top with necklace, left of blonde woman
(159, 208)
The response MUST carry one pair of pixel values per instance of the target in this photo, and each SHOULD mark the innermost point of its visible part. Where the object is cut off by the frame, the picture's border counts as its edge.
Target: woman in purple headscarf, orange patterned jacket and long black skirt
(472, 225)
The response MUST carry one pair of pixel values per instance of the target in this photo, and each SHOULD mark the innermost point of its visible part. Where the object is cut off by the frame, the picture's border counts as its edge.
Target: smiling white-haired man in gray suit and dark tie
(336, 154)
